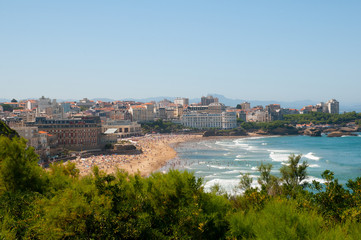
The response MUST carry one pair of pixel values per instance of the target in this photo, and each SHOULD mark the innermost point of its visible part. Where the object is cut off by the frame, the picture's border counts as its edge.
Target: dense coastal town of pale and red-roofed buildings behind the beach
(52, 127)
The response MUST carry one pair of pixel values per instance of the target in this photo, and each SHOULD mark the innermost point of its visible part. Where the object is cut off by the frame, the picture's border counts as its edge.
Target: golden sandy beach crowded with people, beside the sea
(157, 150)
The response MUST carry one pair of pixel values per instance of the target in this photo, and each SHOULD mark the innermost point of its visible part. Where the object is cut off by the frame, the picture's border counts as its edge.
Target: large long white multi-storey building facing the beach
(224, 120)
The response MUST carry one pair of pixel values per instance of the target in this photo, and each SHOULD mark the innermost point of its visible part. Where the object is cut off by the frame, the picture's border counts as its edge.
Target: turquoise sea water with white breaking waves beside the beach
(223, 161)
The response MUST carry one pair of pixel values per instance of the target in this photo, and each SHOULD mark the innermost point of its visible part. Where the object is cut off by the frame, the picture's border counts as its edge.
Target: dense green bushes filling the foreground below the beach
(58, 204)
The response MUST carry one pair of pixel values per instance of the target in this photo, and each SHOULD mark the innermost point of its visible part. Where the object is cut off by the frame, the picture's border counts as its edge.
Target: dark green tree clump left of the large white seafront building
(161, 126)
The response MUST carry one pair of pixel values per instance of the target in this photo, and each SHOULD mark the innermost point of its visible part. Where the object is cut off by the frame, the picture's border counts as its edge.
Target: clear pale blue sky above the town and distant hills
(261, 50)
